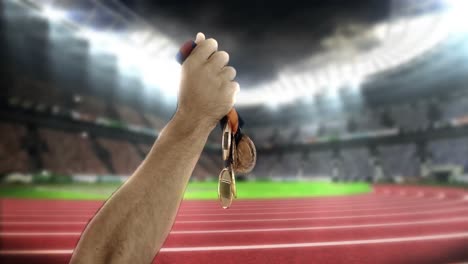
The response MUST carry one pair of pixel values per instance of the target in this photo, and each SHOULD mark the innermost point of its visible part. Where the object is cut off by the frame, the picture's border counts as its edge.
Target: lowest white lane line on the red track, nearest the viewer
(427, 238)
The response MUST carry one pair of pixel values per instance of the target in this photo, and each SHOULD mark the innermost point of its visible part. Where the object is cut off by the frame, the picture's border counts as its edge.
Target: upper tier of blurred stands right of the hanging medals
(418, 116)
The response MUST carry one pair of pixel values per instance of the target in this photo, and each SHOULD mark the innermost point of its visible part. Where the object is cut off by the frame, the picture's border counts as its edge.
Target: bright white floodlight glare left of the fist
(144, 53)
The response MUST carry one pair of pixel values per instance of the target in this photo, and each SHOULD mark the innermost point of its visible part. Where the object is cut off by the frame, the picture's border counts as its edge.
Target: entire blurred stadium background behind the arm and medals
(376, 112)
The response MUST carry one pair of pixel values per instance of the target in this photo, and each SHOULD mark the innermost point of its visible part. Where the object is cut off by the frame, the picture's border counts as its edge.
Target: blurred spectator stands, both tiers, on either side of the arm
(31, 148)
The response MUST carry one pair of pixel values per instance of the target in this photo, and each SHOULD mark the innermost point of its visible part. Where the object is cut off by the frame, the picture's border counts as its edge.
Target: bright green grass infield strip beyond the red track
(195, 190)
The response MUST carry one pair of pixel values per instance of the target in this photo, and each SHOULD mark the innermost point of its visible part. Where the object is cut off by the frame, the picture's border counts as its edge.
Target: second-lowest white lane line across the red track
(285, 229)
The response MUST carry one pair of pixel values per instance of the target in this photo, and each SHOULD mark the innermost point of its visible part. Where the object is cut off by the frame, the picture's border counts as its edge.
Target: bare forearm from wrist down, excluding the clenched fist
(134, 223)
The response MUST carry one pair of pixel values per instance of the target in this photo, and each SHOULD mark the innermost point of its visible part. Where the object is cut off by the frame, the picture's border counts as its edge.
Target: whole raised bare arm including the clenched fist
(134, 223)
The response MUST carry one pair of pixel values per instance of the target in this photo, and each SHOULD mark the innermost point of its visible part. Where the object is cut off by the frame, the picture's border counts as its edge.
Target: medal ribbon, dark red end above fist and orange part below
(235, 121)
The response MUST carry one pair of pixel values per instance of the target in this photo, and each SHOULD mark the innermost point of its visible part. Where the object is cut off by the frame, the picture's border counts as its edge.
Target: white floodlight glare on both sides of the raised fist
(150, 56)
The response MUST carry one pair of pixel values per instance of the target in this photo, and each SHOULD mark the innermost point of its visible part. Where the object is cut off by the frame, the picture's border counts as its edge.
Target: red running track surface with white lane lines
(393, 224)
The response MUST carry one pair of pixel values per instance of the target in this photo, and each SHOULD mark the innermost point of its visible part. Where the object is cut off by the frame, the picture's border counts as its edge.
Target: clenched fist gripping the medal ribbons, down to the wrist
(207, 90)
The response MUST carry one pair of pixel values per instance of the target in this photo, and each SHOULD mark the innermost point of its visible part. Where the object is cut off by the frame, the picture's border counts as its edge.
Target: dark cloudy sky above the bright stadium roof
(260, 36)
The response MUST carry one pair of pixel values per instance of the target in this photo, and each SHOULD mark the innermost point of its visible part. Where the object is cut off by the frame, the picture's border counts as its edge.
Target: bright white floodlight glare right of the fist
(402, 40)
